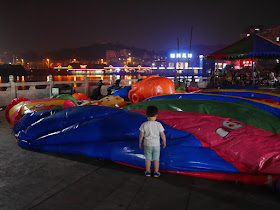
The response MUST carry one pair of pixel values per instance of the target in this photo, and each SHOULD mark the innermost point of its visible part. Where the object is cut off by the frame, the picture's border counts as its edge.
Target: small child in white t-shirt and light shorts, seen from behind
(151, 131)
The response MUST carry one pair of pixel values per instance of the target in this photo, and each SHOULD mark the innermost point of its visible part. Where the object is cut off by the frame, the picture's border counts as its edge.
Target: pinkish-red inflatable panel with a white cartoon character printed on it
(241, 143)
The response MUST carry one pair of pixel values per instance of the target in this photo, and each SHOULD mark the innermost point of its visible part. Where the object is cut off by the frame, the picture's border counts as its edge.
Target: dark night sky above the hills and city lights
(54, 24)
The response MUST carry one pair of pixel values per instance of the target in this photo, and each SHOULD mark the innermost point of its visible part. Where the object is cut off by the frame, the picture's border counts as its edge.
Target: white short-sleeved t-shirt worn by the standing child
(151, 130)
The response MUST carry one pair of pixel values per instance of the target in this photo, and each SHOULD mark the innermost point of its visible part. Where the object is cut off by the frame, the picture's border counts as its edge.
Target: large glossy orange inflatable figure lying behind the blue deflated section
(151, 86)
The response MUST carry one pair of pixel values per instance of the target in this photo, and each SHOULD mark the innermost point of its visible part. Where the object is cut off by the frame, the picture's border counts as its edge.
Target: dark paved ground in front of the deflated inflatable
(31, 180)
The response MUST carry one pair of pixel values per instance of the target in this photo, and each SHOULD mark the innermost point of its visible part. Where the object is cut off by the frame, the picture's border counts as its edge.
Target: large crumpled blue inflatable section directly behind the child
(111, 133)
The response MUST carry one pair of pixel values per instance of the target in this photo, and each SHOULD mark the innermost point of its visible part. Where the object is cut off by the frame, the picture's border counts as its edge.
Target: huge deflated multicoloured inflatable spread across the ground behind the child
(229, 135)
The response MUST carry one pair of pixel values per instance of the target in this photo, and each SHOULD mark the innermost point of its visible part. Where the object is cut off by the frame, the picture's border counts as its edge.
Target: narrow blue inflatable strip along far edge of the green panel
(270, 109)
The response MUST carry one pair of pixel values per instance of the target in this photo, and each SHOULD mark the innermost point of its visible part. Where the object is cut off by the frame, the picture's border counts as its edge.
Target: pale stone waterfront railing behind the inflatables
(40, 90)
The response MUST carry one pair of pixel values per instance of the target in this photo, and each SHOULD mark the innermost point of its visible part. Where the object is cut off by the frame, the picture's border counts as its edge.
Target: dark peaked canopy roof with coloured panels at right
(254, 46)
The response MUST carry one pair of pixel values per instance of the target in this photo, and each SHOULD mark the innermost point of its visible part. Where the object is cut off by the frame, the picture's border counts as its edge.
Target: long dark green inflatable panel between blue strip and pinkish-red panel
(240, 111)
